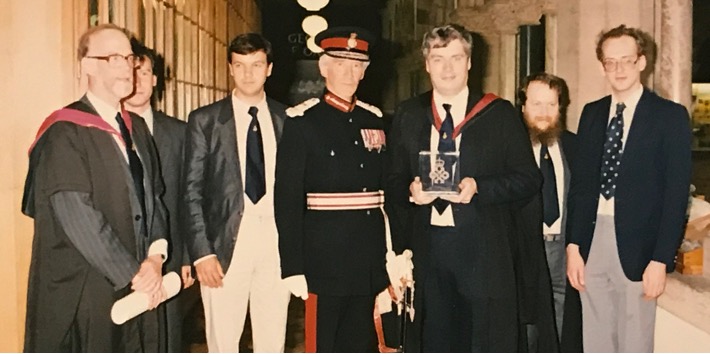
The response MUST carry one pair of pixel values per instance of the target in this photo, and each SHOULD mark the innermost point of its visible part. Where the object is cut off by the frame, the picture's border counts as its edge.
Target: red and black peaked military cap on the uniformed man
(346, 42)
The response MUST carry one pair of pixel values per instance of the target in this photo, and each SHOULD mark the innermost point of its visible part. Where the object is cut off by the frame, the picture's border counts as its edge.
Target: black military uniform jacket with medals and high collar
(340, 252)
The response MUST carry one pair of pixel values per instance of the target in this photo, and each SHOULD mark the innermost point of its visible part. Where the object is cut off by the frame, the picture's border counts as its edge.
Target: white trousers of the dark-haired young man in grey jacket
(253, 278)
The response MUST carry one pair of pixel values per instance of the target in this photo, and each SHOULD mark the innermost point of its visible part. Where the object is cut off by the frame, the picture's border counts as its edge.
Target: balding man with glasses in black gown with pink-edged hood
(92, 189)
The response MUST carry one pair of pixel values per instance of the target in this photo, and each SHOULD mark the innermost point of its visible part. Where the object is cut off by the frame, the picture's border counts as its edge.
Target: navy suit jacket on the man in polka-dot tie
(651, 195)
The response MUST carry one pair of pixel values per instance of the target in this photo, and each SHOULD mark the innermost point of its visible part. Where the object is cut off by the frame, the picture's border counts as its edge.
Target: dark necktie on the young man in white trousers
(255, 179)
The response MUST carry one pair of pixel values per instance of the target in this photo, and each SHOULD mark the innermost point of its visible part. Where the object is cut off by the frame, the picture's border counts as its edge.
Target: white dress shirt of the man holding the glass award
(458, 112)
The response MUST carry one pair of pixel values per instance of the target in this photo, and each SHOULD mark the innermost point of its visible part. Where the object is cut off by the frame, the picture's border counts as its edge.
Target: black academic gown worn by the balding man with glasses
(63, 286)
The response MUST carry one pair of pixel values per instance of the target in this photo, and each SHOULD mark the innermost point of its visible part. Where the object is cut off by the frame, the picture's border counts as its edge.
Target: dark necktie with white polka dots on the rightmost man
(611, 158)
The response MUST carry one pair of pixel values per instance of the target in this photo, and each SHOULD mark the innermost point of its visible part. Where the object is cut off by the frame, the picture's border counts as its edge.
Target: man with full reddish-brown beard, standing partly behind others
(544, 99)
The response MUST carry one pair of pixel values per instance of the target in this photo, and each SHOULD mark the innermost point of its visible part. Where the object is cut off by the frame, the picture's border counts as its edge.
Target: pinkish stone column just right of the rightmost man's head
(675, 51)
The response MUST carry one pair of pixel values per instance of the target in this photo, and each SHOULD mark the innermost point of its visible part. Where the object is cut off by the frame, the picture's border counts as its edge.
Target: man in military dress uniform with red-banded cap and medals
(329, 173)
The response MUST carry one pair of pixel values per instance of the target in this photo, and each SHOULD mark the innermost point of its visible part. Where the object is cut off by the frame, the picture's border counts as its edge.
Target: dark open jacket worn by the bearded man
(536, 304)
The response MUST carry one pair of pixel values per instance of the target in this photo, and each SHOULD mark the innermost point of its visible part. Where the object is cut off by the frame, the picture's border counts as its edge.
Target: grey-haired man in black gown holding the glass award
(463, 257)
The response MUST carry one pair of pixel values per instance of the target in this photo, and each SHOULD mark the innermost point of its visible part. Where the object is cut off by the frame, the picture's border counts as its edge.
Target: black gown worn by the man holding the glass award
(495, 150)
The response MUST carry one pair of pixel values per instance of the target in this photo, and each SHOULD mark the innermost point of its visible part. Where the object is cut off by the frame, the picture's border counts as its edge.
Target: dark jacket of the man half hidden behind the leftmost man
(169, 136)
